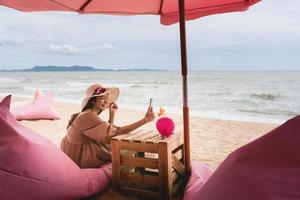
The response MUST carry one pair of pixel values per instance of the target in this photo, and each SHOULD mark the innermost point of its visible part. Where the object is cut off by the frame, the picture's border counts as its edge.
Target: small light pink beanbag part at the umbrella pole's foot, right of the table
(199, 175)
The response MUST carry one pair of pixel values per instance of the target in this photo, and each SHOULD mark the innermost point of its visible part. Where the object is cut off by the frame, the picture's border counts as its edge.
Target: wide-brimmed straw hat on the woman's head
(96, 90)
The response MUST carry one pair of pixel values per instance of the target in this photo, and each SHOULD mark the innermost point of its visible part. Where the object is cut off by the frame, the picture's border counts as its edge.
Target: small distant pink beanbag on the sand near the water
(41, 107)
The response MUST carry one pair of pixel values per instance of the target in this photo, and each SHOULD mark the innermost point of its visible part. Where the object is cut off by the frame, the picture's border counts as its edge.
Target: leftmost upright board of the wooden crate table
(115, 164)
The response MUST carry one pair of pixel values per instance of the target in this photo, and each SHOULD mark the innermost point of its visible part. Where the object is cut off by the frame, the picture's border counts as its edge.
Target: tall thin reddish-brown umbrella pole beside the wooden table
(184, 70)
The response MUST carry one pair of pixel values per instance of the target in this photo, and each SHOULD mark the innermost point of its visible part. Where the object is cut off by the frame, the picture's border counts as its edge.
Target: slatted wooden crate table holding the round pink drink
(147, 165)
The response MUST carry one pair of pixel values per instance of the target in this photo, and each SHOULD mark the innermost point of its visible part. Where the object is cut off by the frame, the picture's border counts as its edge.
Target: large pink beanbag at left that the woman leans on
(31, 167)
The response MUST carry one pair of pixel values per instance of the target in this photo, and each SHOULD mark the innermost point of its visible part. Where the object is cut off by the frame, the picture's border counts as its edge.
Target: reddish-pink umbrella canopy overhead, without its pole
(167, 9)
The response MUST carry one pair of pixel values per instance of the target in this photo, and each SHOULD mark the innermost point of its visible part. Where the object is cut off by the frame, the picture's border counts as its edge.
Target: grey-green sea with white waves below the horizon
(256, 96)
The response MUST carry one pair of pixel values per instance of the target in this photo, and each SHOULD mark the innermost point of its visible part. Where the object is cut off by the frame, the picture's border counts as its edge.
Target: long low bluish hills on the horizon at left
(73, 69)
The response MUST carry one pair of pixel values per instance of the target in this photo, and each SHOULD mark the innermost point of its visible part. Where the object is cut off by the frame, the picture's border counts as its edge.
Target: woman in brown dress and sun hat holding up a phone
(88, 137)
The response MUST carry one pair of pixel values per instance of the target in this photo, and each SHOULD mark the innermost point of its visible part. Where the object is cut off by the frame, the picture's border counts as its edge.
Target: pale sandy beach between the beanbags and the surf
(211, 139)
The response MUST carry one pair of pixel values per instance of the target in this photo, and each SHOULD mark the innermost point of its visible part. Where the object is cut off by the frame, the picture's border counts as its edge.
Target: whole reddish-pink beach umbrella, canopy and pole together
(170, 12)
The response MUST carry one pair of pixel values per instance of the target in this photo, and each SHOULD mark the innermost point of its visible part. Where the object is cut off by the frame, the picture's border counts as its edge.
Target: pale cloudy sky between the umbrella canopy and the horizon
(266, 37)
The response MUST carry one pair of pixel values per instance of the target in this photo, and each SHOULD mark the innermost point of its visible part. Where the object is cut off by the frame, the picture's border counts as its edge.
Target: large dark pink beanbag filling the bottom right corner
(265, 169)
